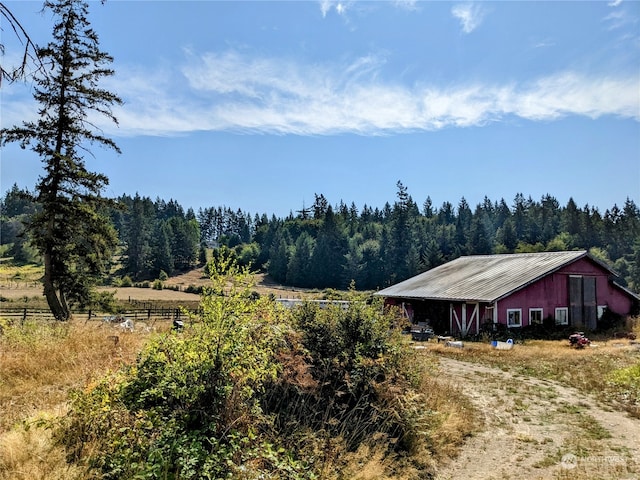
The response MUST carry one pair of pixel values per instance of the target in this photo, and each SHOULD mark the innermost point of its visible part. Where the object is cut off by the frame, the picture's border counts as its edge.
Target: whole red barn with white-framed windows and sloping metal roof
(516, 290)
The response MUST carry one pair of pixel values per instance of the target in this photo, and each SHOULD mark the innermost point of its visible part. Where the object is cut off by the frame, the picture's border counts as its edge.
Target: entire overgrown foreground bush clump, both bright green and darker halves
(248, 392)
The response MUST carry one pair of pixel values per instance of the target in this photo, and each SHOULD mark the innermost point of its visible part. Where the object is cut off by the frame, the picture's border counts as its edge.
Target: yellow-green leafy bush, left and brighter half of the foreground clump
(190, 407)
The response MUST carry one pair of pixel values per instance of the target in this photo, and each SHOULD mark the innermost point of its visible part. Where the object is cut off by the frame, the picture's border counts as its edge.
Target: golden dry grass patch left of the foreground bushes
(40, 363)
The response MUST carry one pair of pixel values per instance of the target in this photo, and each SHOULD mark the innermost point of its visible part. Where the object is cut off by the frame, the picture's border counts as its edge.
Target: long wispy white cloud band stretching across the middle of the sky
(231, 91)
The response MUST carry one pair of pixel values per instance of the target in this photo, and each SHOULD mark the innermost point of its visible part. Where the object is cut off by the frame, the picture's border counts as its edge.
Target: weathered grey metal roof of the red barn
(482, 278)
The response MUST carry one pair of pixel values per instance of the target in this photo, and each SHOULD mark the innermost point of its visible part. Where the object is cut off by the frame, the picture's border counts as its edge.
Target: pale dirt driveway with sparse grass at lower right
(539, 429)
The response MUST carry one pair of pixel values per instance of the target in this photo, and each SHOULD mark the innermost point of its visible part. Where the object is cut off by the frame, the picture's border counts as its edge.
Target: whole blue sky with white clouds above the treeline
(262, 105)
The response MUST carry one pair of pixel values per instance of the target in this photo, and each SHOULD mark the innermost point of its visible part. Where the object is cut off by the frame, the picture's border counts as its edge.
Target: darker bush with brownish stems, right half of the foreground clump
(360, 367)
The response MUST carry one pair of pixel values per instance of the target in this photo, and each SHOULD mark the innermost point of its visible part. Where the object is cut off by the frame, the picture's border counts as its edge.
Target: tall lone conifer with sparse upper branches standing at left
(73, 236)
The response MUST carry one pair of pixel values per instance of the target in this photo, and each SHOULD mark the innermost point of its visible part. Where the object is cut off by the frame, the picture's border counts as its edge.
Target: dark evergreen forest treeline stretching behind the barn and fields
(331, 246)
